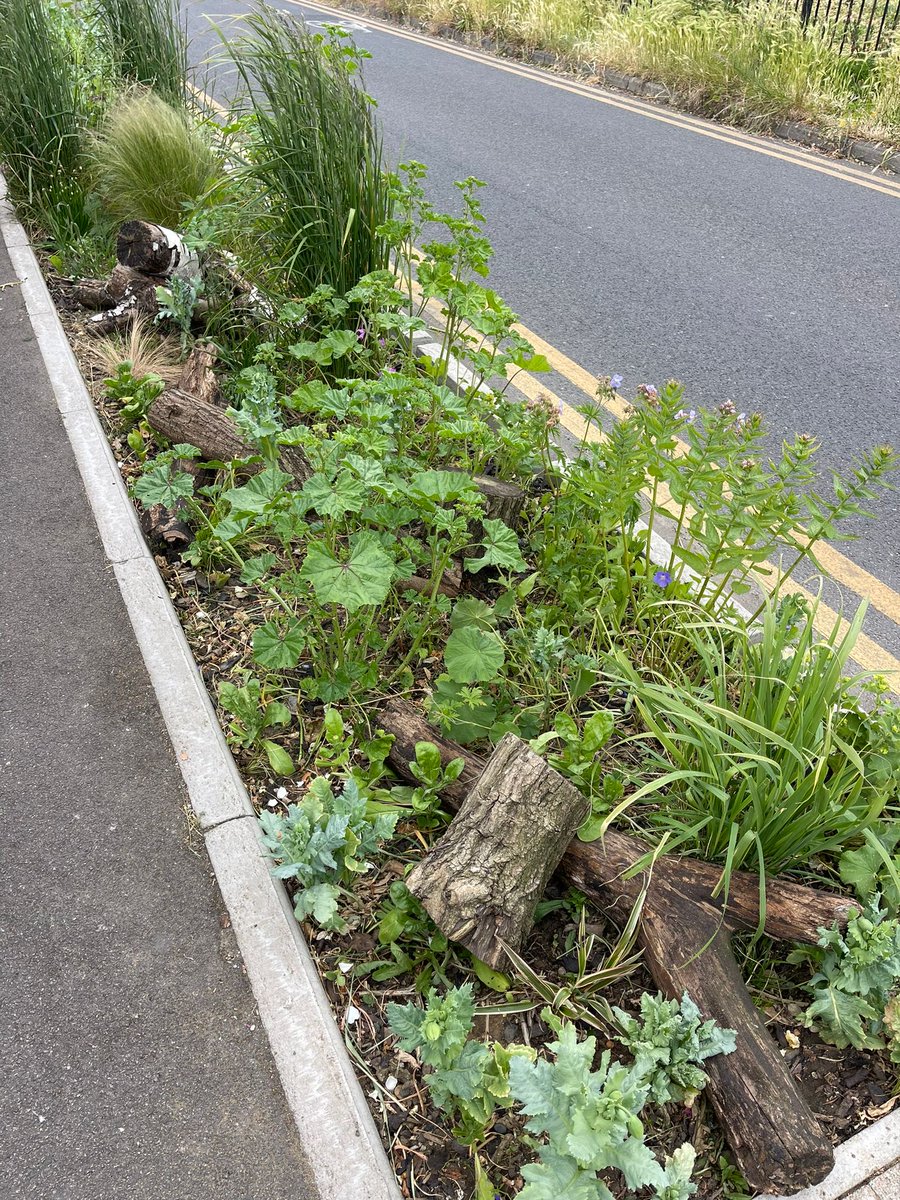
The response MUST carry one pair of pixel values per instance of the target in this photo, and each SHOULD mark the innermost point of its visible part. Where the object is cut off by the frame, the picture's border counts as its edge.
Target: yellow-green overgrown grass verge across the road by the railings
(751, 63)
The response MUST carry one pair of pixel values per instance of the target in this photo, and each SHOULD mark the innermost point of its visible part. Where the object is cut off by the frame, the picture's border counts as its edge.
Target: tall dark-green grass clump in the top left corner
(43, 121)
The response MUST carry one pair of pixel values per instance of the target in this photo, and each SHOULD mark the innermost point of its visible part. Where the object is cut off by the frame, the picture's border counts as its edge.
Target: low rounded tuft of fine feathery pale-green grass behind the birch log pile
(152, 163)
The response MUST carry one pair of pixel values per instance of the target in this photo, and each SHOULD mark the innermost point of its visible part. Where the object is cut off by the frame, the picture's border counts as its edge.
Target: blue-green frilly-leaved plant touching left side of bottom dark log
(669, 1043)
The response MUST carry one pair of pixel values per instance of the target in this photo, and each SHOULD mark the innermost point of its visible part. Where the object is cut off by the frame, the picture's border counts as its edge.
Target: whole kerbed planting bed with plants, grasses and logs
(440, 649)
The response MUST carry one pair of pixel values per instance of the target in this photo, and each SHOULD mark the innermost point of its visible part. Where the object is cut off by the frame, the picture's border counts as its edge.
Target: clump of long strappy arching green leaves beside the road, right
(759, 761)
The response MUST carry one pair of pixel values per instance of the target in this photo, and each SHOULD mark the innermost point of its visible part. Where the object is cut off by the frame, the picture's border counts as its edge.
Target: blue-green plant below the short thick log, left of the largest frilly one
(467, 1079)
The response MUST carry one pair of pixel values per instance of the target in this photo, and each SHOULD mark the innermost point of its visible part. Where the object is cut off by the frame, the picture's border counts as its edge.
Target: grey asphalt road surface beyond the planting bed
(640, 242)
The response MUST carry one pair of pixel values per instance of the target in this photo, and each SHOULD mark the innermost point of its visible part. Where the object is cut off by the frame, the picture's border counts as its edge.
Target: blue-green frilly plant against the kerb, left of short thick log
(322, 843)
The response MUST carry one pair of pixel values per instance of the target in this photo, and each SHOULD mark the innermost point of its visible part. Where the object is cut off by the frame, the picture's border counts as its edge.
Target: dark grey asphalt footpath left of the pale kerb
(135, 1066)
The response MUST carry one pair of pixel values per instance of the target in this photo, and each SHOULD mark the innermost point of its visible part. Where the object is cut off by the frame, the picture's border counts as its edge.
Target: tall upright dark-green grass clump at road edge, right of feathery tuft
(317, 154)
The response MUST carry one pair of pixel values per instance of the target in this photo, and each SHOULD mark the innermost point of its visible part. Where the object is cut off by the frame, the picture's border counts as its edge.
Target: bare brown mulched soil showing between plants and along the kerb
(845, 1089)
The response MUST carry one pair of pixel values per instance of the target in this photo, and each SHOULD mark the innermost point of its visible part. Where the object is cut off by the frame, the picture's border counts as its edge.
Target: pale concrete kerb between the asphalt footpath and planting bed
(326, 1100)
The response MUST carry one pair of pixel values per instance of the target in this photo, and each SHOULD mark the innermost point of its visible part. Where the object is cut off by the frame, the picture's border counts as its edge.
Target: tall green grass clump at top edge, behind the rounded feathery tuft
(148, 44)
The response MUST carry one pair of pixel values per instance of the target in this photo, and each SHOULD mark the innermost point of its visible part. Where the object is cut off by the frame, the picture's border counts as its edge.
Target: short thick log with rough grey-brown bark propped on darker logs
(482, 881)
